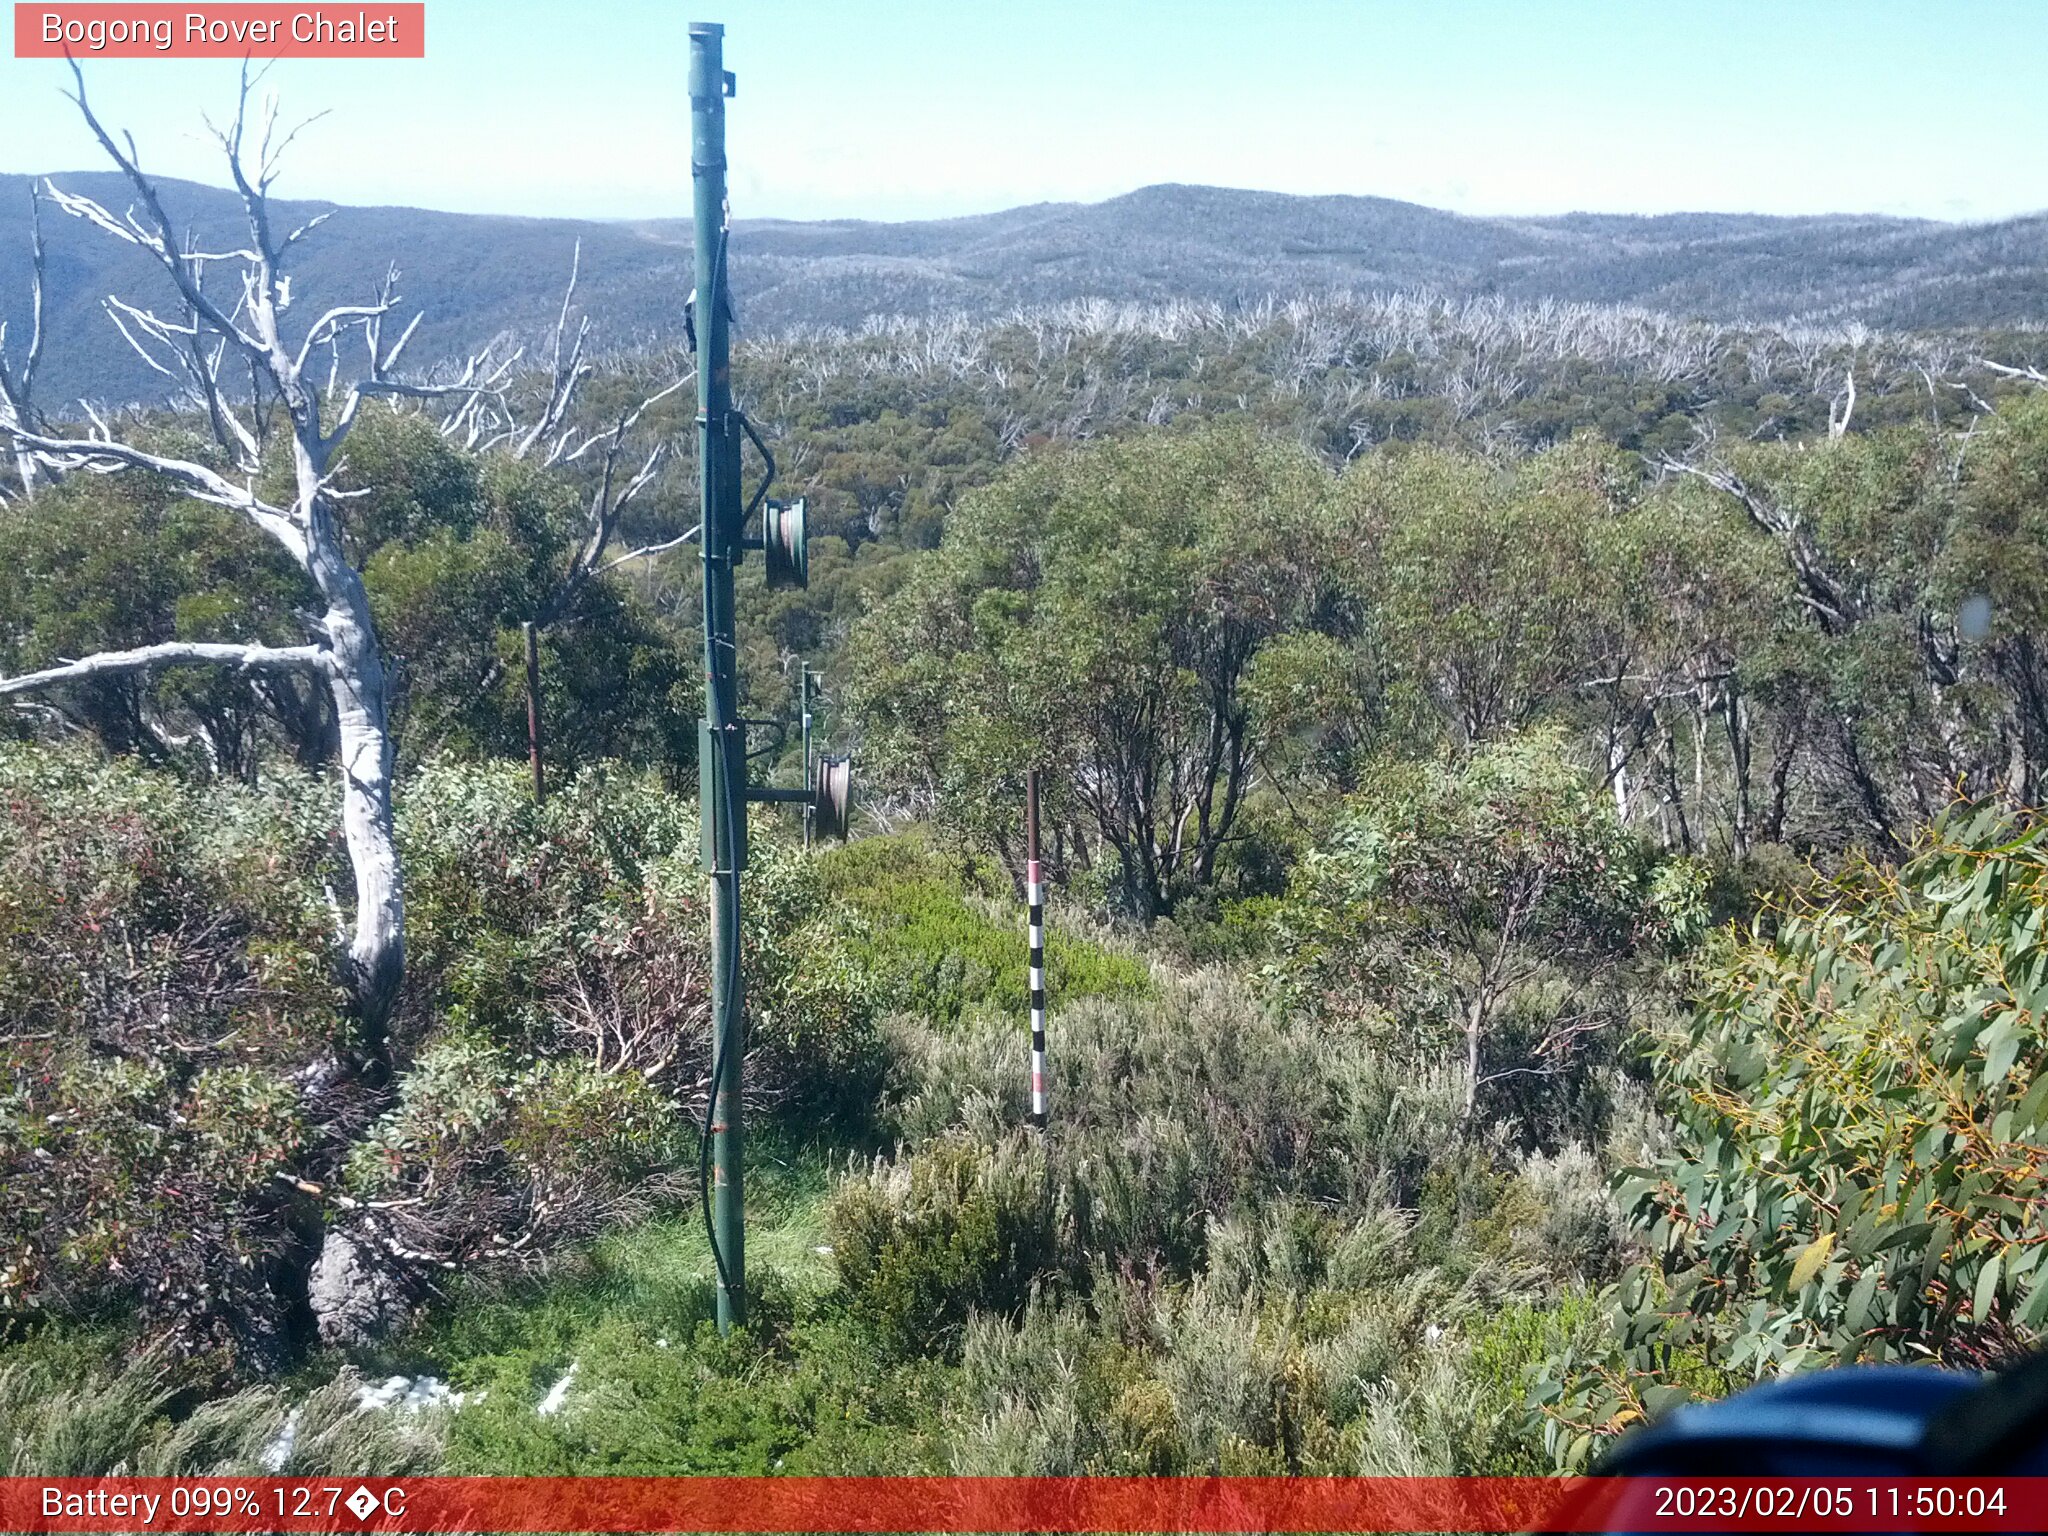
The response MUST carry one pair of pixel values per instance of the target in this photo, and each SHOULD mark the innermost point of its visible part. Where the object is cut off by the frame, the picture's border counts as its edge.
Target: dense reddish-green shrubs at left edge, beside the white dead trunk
(163, 966)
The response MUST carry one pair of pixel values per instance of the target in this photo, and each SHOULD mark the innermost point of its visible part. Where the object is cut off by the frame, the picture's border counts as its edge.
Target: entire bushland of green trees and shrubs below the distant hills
(1545, 878)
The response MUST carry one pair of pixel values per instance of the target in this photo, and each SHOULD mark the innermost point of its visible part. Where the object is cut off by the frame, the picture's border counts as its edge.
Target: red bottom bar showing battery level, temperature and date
(1019, 1504)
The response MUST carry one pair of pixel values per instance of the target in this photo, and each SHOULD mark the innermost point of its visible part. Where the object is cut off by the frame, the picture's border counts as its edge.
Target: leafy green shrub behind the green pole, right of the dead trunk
(581, 929)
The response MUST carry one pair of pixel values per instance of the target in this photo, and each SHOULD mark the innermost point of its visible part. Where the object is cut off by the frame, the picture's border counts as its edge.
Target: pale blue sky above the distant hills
(945, 108)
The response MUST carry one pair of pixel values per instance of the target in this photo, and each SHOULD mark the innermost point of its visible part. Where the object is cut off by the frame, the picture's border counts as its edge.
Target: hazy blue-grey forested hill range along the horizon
(480, 278)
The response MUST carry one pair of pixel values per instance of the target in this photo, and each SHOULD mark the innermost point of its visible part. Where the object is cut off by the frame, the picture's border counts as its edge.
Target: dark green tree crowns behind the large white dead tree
(456, 552)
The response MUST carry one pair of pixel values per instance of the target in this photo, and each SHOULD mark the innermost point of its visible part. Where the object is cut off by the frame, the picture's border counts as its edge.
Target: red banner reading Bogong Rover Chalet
(220, 32)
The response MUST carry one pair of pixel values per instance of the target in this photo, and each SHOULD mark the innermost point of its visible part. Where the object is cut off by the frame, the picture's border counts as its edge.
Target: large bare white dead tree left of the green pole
(212, 343)
